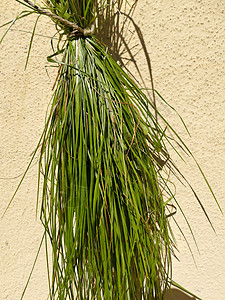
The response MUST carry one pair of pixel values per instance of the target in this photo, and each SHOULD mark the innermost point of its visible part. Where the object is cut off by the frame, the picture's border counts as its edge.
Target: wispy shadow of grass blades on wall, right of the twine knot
(117, 29)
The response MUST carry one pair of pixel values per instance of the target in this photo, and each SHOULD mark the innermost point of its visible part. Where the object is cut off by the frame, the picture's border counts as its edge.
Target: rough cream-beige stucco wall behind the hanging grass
(186, 44)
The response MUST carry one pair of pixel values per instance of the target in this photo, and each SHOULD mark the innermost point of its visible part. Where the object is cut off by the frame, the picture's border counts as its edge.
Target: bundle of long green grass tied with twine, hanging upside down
(102, 155)
